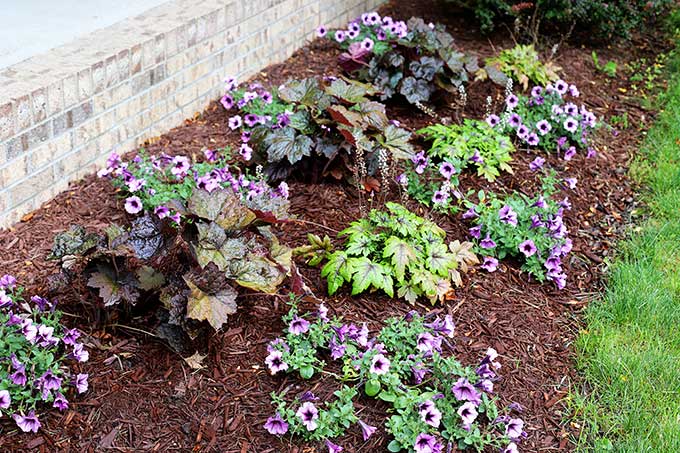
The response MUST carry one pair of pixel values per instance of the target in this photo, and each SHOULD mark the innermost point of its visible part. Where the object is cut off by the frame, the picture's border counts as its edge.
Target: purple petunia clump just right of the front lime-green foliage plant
(529, 228)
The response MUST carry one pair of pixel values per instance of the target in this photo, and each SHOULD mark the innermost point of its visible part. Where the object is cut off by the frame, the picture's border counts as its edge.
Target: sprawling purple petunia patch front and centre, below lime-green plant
(435, 403)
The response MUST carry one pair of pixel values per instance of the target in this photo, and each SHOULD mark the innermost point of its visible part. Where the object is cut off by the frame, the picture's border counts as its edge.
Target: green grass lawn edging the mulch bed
(629, 353)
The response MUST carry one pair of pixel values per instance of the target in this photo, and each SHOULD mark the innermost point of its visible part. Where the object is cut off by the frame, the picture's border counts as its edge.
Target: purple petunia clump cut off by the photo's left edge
(38, 356)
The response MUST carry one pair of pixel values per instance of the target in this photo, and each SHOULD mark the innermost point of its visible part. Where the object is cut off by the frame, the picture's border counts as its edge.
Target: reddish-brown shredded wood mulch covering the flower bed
(143, 396)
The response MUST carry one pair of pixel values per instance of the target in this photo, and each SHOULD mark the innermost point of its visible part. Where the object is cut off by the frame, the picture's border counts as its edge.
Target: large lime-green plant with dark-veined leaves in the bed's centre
(398, 252)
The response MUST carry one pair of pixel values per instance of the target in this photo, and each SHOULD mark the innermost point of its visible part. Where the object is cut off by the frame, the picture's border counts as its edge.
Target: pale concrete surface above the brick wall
(31, 27)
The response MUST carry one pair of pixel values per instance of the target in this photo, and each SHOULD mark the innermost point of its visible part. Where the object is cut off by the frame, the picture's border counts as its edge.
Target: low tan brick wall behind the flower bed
(62, 113)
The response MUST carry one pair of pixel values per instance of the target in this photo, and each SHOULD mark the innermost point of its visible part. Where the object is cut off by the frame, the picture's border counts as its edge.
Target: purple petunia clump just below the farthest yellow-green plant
(549, 119)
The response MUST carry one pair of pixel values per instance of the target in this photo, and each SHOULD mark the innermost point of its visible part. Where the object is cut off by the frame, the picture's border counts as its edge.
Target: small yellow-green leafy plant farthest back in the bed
(521, 63)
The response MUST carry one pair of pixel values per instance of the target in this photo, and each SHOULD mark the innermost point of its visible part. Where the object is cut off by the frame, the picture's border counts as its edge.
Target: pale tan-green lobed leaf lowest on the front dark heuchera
(214, 308)
